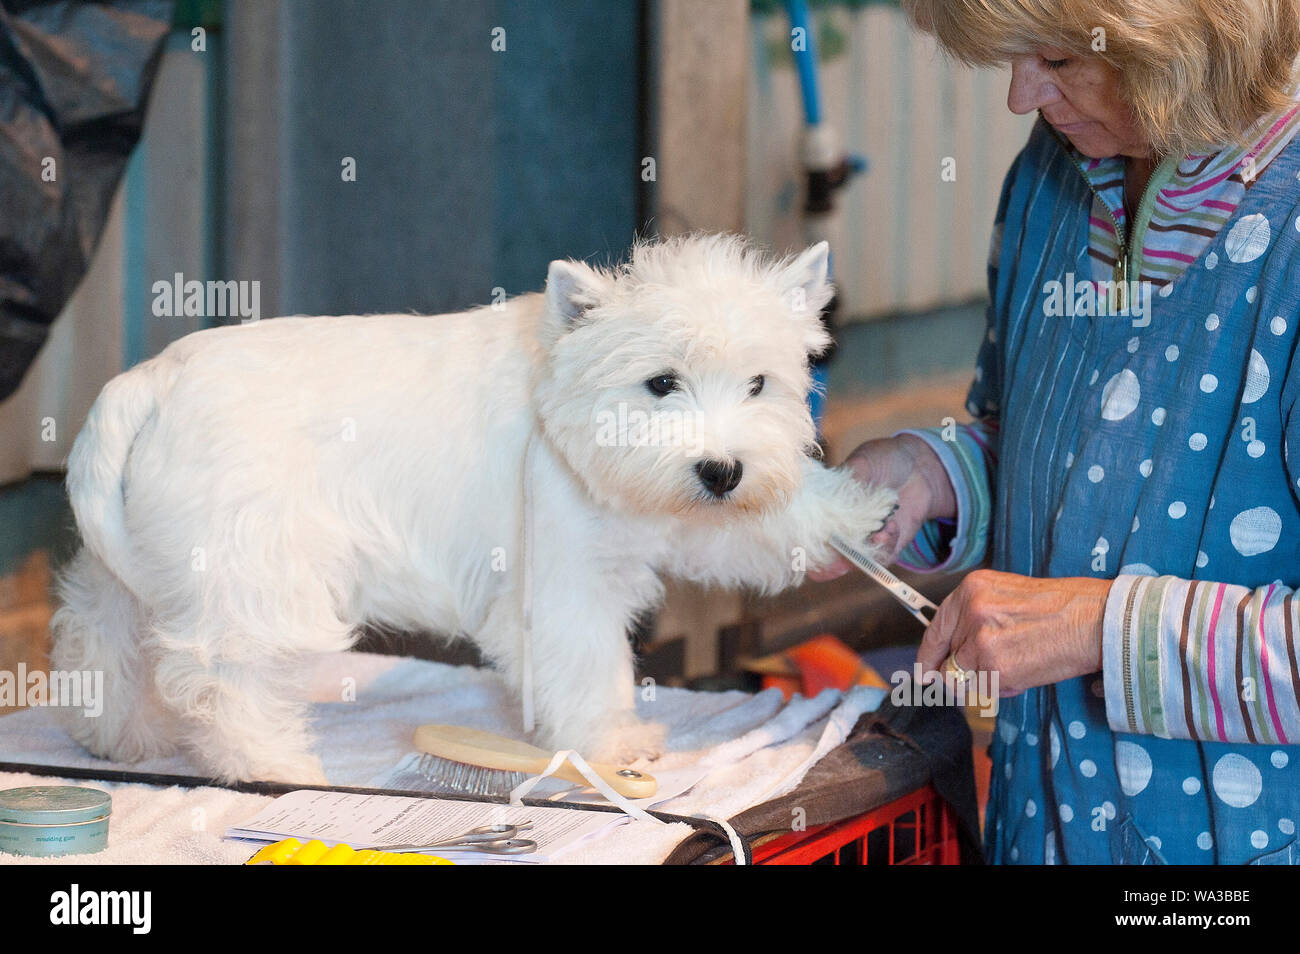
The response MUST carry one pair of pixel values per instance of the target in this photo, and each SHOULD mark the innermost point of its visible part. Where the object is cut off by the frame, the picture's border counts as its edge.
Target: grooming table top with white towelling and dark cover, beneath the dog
(833, 758)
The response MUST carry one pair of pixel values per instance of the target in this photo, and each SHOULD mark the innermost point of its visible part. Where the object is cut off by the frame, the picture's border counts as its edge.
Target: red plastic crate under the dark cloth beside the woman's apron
(918, 829)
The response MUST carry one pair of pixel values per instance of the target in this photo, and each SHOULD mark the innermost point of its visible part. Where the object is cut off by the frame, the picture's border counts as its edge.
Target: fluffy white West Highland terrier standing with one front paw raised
(257, 493)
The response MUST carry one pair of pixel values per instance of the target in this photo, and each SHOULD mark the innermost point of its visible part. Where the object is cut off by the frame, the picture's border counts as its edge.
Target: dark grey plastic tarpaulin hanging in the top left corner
(75, 80)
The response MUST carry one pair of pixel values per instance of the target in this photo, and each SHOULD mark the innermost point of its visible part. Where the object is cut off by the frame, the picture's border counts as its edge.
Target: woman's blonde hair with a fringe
(1197, 73)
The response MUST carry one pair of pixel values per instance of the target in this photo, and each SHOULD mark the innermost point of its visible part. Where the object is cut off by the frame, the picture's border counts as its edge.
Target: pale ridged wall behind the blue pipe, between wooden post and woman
(908, 240)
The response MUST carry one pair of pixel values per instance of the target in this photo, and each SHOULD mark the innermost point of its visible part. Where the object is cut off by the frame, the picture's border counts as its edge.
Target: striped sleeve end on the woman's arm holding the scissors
(1202, 661)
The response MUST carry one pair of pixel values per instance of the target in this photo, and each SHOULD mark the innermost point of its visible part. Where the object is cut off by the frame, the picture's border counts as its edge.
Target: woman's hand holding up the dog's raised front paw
(908, 466)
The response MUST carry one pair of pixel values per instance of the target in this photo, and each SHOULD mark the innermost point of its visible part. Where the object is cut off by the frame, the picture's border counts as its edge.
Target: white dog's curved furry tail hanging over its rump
(98, 463)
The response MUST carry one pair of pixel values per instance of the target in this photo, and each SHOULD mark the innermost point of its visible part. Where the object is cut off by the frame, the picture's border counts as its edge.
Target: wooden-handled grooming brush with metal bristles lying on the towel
(480, 764)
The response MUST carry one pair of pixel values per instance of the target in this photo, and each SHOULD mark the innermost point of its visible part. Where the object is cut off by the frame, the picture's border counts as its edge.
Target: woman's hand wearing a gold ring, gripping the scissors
(1032, 632)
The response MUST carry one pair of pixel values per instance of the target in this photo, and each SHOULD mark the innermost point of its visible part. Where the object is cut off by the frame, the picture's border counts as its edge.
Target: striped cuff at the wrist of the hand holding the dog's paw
(946, 545)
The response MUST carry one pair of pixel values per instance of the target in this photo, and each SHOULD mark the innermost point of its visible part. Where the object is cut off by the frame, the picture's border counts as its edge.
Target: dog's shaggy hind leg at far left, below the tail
(98, 630)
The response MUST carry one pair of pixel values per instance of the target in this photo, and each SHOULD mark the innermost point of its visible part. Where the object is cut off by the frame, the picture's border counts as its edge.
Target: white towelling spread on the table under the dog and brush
(755, 747)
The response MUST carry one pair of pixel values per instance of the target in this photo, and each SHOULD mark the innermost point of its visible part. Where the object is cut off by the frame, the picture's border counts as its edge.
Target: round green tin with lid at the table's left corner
(45, 821)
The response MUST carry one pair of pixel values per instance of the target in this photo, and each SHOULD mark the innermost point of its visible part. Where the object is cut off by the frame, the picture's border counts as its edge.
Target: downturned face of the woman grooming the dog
(1080, 96)
